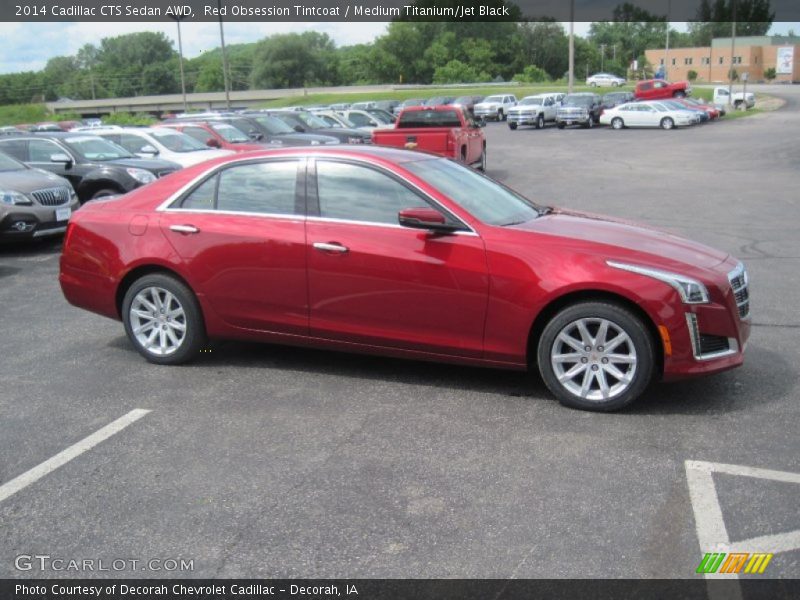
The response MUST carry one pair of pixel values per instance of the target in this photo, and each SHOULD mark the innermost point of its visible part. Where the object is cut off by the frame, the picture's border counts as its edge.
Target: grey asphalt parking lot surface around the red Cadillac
(264, 461)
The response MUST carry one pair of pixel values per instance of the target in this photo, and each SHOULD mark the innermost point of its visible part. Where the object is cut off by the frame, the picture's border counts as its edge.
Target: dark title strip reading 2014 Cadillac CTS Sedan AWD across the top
(358, 10)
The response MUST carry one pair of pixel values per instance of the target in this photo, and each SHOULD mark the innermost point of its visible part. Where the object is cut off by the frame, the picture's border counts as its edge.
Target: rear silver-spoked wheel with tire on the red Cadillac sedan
(163, 320)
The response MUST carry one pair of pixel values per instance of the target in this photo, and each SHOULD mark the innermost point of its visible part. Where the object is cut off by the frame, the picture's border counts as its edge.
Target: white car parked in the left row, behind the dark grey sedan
(162, 142)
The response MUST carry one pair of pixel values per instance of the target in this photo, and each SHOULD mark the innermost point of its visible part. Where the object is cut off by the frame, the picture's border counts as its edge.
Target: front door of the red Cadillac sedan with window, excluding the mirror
(374, 282)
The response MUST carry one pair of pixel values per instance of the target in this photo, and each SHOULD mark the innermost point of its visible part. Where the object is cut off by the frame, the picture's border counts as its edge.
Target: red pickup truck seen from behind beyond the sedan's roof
(445, 130)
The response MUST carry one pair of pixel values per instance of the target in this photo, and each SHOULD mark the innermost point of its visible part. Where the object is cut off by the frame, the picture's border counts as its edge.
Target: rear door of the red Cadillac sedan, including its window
(241, 237)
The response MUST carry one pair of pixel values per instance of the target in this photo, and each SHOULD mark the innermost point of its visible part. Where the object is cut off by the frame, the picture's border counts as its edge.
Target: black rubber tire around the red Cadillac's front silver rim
(639, 343)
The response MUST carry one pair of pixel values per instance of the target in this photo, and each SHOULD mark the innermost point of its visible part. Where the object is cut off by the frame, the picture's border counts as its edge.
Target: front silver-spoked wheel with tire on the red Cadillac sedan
(596, 356)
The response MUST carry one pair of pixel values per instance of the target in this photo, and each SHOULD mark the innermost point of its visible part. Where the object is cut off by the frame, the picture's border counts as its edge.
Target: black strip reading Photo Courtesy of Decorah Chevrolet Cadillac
(398, 589)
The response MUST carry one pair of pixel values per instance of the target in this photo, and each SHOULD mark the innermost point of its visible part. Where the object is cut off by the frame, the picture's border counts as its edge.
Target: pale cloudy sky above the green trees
(28, 46)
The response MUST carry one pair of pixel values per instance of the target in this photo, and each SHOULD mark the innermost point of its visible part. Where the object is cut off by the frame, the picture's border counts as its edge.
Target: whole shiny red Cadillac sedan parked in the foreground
(387, 251)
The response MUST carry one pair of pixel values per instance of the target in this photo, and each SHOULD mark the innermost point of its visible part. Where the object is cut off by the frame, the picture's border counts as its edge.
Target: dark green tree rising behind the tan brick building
(753, 17)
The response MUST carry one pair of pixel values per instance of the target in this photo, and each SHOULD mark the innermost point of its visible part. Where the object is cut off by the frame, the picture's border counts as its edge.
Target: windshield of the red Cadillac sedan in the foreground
(482, 197)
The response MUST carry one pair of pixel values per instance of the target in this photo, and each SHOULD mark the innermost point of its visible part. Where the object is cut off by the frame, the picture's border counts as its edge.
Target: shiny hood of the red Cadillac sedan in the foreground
(627, 235)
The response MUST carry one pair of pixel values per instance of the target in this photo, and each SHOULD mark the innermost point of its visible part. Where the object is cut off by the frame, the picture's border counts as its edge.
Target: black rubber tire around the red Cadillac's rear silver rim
(194, 336)
